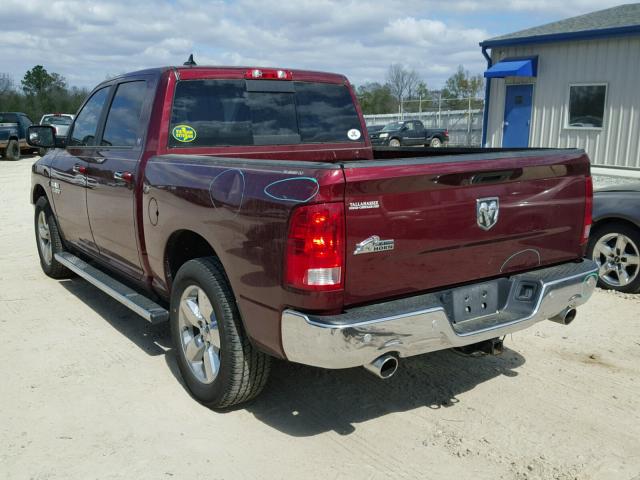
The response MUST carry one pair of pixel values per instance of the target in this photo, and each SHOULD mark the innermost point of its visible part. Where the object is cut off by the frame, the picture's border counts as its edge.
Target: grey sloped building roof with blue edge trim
(620, 20)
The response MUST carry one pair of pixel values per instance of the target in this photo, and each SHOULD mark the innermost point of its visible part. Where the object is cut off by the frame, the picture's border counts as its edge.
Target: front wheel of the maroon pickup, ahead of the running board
(46, 226)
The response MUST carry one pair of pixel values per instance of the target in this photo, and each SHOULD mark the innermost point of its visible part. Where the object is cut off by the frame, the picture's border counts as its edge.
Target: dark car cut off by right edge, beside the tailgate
(614, 243)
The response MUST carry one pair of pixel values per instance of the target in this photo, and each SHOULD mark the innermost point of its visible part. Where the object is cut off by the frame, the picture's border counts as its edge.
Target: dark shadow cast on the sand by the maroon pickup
(304, 401)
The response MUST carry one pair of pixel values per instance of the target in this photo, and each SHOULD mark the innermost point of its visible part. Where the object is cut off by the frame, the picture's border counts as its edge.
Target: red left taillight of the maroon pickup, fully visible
(315, 247)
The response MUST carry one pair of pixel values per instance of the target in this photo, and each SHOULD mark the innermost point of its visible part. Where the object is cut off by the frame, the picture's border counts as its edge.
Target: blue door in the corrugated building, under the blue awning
(517, 115)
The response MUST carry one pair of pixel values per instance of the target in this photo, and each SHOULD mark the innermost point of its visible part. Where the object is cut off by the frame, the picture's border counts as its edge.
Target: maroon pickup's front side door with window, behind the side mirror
(68, 173)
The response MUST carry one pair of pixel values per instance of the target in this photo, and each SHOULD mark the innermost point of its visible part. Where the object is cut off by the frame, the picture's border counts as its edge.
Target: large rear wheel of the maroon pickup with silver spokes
(222, 368)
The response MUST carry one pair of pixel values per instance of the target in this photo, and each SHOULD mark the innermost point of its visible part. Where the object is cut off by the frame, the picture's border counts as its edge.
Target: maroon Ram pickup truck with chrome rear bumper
(248, 208)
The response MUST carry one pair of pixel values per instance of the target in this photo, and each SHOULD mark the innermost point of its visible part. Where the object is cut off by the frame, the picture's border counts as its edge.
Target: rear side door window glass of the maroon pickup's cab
(124, 122)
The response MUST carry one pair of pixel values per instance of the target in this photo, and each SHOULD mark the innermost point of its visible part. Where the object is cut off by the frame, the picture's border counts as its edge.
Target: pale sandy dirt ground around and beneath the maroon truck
(89, 390)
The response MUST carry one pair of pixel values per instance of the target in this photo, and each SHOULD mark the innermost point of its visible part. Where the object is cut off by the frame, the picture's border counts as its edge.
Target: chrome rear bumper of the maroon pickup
(425, 323)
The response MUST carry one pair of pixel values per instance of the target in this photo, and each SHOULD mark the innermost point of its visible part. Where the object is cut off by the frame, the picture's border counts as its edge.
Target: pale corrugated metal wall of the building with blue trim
(615, 61)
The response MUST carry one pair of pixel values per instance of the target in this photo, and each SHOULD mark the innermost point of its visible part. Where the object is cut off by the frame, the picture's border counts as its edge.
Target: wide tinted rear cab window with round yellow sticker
(222, 112)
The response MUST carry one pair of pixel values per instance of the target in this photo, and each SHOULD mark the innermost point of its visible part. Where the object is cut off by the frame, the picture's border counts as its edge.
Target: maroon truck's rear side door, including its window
(112, 175)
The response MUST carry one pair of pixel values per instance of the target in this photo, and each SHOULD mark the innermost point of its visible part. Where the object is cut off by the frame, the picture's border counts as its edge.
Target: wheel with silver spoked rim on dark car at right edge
(615, 247)
